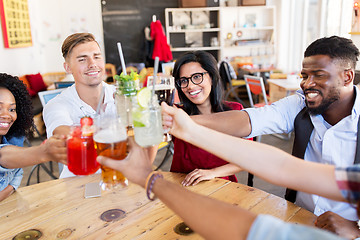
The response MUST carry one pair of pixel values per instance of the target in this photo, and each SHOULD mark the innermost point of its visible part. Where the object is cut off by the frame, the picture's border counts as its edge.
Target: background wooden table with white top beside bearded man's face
(280, 88)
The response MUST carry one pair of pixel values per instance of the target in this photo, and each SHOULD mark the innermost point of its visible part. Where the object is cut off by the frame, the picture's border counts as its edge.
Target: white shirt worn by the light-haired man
(67, 109)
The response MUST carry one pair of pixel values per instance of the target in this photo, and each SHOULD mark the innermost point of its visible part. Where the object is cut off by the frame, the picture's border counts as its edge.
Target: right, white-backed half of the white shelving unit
(249, 32)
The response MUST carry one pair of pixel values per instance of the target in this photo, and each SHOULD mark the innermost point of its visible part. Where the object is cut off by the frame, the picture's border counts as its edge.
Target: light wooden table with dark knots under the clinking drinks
(59, 210)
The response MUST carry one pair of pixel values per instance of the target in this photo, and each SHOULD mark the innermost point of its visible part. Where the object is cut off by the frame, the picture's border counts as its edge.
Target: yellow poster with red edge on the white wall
(15, 23)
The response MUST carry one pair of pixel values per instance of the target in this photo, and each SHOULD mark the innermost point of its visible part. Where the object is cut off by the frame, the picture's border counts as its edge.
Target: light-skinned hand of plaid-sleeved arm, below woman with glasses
(175, 119)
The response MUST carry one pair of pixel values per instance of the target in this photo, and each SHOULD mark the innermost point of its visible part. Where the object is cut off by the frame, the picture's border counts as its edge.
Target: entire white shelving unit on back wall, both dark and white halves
(227, 32)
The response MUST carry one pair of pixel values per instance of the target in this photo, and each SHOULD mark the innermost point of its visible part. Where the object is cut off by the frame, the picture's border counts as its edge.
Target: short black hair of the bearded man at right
(337, 48)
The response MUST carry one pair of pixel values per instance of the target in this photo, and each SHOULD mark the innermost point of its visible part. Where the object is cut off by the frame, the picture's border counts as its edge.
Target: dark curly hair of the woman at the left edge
(23, 125)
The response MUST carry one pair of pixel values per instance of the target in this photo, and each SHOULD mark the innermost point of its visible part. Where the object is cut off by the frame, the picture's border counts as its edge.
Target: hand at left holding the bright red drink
(55, 149)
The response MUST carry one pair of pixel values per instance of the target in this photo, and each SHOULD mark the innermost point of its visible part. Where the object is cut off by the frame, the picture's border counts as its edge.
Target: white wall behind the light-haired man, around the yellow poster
(51, 22)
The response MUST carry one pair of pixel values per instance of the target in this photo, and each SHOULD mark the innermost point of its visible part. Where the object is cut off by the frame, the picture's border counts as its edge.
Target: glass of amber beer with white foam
(111, 141)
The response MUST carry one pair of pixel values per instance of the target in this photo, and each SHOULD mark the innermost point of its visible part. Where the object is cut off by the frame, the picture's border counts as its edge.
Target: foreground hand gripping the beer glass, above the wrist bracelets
(136, 166)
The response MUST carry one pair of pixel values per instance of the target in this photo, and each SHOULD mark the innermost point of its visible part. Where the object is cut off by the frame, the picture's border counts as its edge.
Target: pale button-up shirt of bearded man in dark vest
(335, 145)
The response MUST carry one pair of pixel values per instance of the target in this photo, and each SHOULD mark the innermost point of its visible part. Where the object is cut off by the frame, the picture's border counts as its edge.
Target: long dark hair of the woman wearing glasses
(209, 64)
